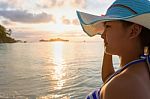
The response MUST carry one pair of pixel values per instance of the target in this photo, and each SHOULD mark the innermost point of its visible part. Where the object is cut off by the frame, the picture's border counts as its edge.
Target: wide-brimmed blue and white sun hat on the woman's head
(136, 11)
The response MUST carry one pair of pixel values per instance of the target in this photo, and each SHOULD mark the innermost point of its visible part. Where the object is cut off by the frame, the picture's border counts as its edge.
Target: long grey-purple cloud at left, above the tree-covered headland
(25, 17)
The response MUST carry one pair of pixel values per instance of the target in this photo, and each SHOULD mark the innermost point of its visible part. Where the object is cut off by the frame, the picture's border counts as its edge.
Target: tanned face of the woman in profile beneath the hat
(115, 37)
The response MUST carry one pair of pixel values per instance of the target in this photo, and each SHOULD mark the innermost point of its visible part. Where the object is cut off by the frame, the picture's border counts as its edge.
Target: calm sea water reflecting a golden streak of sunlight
(50, 70)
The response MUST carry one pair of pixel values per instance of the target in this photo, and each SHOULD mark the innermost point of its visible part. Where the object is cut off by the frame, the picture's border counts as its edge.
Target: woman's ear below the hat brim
(135, 31)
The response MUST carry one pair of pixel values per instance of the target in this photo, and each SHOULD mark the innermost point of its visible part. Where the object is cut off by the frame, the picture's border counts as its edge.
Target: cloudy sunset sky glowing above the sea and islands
(33, 20)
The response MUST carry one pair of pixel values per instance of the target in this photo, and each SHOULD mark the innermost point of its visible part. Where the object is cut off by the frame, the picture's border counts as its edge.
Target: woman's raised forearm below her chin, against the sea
(107, 67)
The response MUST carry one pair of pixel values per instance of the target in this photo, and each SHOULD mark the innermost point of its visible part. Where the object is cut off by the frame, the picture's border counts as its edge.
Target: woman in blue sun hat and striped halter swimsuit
(126, 32)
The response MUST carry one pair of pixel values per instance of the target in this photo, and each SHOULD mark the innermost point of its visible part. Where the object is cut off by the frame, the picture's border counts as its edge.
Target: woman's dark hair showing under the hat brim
(144, 35)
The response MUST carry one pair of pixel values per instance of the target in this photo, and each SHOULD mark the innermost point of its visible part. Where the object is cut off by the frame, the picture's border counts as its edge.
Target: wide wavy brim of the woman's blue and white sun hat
(93, 24)
